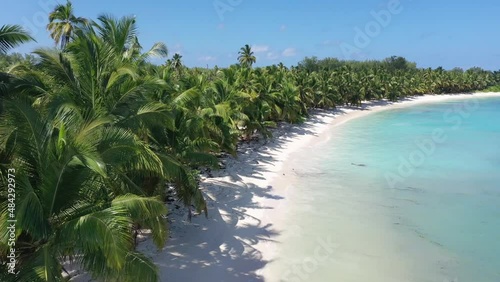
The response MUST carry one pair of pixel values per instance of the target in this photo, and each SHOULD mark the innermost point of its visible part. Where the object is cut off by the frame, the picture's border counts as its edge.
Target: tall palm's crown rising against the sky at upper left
(62, 23)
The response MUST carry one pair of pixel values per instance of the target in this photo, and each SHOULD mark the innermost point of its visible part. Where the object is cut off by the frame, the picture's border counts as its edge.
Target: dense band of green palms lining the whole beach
(94, 132)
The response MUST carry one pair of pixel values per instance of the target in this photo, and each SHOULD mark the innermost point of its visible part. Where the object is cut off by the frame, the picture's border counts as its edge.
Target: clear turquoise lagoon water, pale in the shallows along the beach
(410, 194)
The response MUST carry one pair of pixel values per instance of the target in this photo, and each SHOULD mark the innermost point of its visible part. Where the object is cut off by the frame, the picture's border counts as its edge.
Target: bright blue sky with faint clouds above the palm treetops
(431, 33)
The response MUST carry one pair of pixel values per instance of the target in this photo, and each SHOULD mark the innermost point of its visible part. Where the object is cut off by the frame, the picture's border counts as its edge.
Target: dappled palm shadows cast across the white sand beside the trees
(223, 246)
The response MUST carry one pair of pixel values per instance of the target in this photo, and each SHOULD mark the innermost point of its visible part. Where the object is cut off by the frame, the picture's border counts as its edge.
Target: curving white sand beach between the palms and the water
(247, 200)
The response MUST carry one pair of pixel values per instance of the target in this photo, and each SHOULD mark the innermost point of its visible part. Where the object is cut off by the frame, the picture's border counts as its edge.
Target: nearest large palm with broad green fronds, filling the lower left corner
(68, 201)
